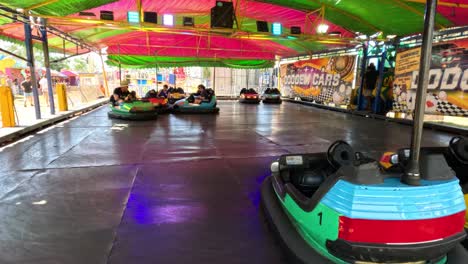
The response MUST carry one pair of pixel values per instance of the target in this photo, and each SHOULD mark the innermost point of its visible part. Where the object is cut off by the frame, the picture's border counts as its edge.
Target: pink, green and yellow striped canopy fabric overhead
(144, 44)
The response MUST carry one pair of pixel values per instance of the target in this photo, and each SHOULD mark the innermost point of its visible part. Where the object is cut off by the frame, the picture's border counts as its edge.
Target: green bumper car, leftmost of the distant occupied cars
(135, 110)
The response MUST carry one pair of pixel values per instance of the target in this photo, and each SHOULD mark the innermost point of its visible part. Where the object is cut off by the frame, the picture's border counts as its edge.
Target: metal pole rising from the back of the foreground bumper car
(412, 175)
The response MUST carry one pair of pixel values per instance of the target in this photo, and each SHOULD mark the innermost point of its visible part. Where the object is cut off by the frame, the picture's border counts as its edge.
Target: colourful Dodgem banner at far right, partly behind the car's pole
(447, 81)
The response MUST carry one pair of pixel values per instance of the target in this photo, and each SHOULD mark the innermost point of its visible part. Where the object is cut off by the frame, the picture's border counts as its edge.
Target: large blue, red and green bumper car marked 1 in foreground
(341, 207)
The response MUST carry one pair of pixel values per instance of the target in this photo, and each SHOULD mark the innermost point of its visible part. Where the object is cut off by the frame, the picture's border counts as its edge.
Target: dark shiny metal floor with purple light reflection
(182, 189)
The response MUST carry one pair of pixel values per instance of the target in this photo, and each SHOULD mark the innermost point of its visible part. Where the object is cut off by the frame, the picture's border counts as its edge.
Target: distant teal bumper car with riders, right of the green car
(188, 107)
